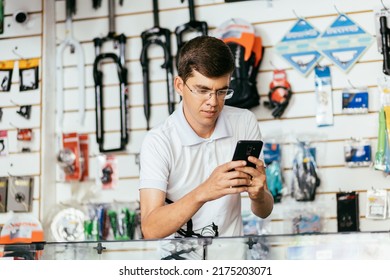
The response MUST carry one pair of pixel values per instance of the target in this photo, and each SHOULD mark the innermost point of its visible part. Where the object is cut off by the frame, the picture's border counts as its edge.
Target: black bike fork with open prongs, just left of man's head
(161, 37)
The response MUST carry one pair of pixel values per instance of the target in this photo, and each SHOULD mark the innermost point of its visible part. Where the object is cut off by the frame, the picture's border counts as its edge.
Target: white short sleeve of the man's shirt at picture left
(154, 163)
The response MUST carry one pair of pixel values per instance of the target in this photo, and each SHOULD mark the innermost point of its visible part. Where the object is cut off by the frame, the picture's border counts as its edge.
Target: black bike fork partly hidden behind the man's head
(193, 25)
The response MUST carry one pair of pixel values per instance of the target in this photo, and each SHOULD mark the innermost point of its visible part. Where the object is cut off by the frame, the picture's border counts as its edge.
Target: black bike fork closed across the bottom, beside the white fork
(120, 61)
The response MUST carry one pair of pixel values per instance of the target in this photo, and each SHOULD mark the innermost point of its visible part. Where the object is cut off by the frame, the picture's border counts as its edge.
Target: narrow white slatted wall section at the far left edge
(22, 41)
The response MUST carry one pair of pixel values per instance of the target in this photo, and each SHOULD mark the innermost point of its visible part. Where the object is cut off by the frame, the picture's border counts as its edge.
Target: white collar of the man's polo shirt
(187, 135)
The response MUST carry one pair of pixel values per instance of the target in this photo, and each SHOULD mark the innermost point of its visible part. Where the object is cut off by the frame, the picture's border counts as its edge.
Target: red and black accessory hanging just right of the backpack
(279, 94)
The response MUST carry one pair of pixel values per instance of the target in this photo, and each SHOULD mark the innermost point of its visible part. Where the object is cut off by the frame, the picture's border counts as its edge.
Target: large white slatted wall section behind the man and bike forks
(271, 22)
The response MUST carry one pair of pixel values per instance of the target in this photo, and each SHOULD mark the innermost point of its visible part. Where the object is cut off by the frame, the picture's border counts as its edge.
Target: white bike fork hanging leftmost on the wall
(75, 47)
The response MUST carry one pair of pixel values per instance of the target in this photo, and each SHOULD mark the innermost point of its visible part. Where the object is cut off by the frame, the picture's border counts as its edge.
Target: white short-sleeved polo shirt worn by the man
(176, 160)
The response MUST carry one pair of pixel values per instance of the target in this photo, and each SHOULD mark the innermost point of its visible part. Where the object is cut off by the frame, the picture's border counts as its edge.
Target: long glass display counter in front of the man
(352, 246)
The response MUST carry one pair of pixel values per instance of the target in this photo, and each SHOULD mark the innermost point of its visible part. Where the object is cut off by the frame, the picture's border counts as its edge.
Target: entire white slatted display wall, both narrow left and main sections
(271, 19)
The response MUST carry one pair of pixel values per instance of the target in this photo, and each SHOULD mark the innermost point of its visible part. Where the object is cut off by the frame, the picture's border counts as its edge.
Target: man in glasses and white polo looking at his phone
(188, 184)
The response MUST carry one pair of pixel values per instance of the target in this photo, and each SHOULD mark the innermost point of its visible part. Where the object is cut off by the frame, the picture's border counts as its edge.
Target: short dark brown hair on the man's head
(208, 55)
